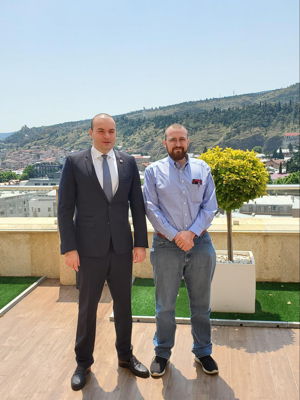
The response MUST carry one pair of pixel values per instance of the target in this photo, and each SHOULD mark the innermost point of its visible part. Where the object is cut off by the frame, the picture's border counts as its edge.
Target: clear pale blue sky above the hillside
(67, 60)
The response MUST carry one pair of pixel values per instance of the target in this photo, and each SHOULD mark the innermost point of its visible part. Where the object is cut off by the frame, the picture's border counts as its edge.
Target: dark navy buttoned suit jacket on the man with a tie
(87, 221)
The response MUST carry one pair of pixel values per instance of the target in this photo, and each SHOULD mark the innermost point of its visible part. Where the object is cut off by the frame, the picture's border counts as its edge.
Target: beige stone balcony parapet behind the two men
(30, 246)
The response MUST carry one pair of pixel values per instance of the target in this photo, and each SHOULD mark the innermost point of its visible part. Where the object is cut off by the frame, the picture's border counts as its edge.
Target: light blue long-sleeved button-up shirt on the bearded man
(173, 202)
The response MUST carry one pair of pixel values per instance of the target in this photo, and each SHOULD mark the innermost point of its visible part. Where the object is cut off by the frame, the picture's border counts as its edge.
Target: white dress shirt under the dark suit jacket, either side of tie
(112, 163)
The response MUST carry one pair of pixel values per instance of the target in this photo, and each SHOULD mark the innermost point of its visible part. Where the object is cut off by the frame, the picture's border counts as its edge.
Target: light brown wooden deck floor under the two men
(37, 359)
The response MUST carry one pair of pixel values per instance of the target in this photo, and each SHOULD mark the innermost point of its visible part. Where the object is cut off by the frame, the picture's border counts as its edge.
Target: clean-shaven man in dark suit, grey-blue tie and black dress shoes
(97, 187)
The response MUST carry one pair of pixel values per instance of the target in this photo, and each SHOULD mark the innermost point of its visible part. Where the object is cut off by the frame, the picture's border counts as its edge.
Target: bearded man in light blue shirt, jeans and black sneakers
(180, 202)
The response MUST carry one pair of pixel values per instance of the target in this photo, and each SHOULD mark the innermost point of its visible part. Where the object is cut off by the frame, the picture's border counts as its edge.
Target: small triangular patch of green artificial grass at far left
(11, 287)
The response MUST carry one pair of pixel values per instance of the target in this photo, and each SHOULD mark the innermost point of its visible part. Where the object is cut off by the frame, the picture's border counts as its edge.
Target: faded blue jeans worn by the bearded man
(197, 266)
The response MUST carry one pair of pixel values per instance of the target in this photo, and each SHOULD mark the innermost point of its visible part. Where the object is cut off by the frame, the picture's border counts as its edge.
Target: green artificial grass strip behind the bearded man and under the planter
(275, 301)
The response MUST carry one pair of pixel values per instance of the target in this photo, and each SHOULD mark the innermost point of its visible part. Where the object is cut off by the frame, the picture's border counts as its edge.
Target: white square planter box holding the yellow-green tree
(234, 285)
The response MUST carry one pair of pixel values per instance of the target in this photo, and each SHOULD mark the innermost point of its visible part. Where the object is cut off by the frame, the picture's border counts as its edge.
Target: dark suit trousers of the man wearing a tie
(116, 269)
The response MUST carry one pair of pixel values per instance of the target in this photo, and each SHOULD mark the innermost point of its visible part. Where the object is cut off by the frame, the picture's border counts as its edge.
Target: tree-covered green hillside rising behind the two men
(242, 121)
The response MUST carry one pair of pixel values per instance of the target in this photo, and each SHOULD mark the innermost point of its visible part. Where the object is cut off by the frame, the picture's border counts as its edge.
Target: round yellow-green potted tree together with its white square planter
(239, 177)
